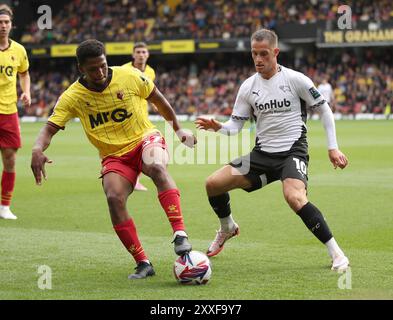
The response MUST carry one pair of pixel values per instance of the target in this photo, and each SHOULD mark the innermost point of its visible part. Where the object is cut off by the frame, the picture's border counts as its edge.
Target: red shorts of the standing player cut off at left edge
(10, 131)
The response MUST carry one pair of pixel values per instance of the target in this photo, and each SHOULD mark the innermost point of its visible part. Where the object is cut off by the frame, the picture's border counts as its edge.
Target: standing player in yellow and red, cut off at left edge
(13, 62)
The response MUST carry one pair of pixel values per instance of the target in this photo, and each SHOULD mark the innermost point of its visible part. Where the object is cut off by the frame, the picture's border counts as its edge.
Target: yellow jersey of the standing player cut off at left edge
(12, 60)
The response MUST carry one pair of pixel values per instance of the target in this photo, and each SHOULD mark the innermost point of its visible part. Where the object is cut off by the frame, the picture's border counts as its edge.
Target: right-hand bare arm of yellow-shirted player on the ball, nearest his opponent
(166, 110)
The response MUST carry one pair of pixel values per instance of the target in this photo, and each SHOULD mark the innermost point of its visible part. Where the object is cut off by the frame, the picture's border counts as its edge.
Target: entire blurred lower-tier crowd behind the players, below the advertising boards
(361, 83)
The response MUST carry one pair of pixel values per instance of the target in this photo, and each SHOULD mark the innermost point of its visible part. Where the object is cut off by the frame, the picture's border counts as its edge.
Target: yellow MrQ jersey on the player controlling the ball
(113, 119)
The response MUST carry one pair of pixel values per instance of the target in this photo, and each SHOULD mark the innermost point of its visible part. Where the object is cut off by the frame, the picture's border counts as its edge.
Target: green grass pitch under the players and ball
(65, 225)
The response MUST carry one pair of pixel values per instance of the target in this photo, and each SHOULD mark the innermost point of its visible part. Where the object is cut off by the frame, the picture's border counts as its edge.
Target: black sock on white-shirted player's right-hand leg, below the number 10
(315, 222)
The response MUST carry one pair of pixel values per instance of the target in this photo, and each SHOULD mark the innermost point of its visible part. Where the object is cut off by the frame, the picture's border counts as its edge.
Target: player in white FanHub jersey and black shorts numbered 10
(277, 98)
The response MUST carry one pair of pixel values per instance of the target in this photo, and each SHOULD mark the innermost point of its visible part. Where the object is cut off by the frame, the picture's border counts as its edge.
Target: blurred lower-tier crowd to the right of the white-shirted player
(361, 82)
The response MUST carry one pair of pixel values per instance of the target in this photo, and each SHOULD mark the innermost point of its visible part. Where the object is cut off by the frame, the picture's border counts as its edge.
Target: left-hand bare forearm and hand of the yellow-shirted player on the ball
(38, 158)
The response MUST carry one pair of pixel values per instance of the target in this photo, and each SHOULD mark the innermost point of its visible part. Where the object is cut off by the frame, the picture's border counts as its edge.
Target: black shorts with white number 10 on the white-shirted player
(262, 168)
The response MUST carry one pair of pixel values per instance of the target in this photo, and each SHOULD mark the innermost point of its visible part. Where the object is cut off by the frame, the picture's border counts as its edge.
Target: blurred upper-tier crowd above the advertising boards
(147, 20)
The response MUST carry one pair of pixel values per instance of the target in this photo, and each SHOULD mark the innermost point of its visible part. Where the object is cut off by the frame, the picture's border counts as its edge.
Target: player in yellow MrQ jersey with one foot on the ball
(108, 101)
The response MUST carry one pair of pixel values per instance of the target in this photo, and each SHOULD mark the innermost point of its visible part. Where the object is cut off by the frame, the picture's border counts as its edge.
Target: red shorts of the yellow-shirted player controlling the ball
(129, 165)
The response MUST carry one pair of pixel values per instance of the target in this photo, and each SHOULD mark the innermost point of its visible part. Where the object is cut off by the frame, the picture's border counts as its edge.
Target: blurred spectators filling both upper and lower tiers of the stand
(361, 77)
